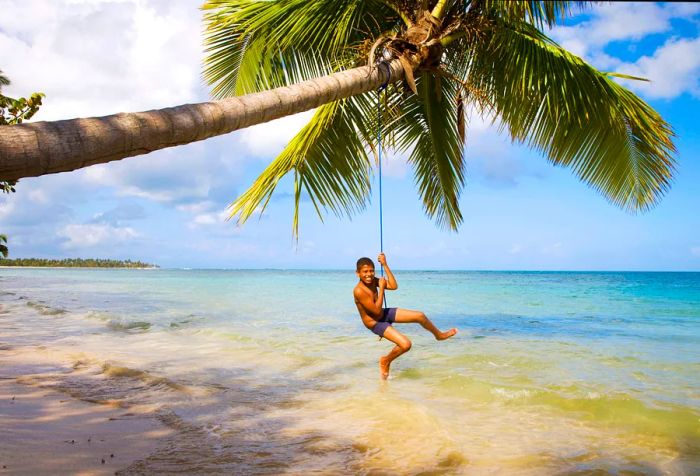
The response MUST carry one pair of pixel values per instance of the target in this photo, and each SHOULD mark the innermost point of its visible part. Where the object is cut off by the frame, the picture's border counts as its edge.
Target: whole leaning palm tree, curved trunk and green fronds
(451, 55)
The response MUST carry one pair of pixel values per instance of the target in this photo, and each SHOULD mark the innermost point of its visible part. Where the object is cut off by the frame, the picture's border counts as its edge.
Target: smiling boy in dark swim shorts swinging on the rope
(369, 297)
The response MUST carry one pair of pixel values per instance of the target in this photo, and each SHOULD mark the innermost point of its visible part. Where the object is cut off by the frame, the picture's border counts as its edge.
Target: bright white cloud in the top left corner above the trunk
(101, 57)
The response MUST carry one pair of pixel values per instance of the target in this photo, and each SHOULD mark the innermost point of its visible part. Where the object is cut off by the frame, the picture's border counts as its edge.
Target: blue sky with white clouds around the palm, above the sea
(99, 57)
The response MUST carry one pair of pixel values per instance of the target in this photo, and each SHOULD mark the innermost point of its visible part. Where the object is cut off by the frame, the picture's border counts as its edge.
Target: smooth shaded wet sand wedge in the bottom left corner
(43, 431)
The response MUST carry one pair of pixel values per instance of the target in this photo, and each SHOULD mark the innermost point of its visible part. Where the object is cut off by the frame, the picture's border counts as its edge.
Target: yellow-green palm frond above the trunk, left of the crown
(258, 45)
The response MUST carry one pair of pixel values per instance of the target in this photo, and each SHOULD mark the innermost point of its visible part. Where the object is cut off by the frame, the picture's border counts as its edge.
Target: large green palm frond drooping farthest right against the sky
(579, 117)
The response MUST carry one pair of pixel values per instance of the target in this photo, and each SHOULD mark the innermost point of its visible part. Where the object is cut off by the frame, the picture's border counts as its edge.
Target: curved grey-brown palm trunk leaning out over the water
(33, 149)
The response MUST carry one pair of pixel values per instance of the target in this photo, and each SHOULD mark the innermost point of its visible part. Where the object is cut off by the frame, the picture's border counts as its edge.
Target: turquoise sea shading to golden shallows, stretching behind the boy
(267, 372)
